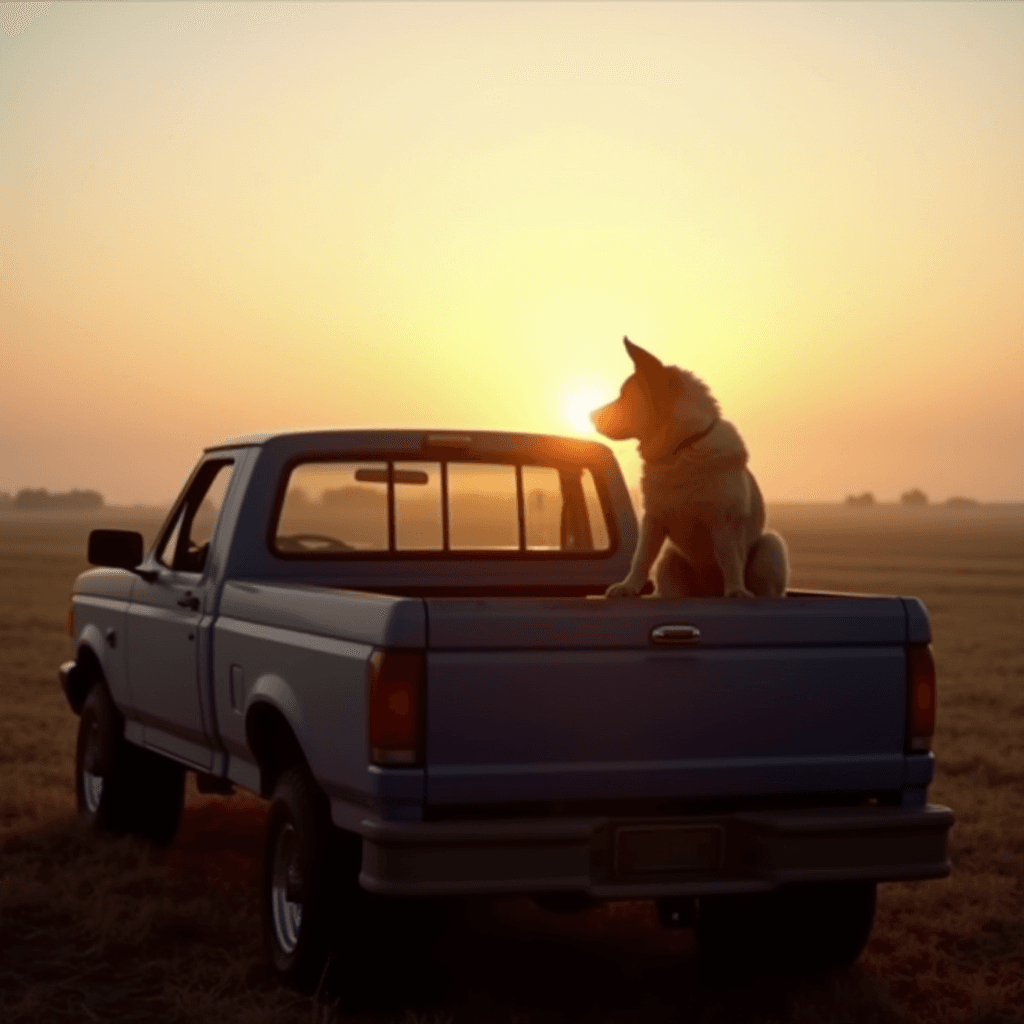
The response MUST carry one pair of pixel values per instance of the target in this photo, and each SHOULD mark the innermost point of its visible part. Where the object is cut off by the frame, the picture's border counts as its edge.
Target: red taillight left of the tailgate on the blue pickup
(396, 707)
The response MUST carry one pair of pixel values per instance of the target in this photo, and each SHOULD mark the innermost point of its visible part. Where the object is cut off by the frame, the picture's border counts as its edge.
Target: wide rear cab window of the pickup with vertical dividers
(347, 508)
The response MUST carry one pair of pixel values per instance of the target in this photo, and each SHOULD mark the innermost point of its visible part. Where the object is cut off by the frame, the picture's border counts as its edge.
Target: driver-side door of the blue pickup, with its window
(165, 619)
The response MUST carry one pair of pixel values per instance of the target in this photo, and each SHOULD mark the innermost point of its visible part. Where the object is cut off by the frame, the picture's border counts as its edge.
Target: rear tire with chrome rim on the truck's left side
(310, 883)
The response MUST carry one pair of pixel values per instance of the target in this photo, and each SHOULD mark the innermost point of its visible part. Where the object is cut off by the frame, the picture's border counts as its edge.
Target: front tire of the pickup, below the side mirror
(120, 788)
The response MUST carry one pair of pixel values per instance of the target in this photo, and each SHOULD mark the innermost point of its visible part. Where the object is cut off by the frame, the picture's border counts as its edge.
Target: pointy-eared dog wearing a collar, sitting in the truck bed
(704, 513)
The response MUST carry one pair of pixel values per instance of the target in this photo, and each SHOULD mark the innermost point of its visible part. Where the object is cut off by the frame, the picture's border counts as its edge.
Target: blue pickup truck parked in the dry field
(401, 638)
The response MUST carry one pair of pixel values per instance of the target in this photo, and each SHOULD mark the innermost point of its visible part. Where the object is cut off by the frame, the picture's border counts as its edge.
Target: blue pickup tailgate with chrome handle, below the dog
(537, 700)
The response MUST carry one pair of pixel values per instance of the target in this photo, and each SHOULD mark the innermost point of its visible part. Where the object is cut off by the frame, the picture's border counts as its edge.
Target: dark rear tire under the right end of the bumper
(799, 929)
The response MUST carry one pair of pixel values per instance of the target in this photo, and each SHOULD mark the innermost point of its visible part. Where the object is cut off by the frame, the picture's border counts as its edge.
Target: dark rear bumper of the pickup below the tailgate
(728, 854)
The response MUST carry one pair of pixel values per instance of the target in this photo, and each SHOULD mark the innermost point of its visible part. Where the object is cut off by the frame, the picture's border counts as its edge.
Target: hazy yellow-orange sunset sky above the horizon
(223, 219)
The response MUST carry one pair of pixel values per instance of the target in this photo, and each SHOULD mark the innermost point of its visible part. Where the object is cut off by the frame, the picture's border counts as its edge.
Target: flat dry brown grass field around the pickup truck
(112, 931)
